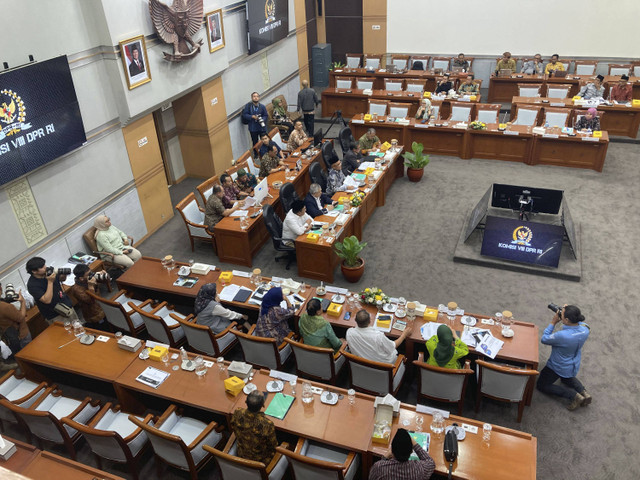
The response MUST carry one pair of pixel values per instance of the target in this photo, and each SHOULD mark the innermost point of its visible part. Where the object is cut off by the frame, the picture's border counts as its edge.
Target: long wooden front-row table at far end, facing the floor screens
(517, 143)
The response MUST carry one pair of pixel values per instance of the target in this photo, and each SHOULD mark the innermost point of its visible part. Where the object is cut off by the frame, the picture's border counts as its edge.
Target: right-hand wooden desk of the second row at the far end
(621, 119)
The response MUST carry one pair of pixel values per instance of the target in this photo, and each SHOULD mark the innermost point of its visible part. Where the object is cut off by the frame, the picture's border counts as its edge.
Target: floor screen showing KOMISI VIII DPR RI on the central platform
(524, 242)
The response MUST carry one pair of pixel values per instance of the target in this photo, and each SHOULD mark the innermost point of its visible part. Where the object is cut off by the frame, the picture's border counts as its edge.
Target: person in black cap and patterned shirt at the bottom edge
(396, 464)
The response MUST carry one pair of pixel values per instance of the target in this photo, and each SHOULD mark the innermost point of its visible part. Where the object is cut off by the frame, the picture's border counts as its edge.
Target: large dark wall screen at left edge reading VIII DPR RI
(39, 117)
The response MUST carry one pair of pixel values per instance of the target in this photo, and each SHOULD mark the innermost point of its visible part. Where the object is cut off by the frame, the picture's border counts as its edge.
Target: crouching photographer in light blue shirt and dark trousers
(566, 353)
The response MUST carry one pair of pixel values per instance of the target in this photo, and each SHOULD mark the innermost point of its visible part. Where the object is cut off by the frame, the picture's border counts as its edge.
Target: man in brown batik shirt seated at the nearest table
(255, 433)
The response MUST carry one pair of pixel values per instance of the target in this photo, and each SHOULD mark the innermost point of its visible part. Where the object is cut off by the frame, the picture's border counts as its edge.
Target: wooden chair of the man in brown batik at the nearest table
(233, 467)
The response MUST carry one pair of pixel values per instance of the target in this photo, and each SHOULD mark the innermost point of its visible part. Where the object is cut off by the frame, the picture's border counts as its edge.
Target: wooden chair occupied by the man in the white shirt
(375, 378)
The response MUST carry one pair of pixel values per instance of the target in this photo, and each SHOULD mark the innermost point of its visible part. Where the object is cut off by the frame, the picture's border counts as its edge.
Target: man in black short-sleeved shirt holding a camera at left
(45, 285)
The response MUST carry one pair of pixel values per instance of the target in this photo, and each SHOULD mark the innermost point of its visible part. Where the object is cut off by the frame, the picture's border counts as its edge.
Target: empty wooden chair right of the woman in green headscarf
(504, 383)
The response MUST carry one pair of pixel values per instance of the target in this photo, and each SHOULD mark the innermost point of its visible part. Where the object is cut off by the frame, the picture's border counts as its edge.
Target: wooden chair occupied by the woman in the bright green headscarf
(442, 384)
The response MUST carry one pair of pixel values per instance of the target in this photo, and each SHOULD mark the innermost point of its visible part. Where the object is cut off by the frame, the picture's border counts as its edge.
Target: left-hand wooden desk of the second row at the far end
(355, 101)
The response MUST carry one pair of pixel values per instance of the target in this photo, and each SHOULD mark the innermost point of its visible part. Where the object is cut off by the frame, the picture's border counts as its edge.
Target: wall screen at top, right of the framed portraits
(267, 22)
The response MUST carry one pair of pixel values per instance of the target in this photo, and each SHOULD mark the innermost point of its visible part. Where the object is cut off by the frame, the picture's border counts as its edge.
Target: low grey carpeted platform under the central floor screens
(569, 268)
